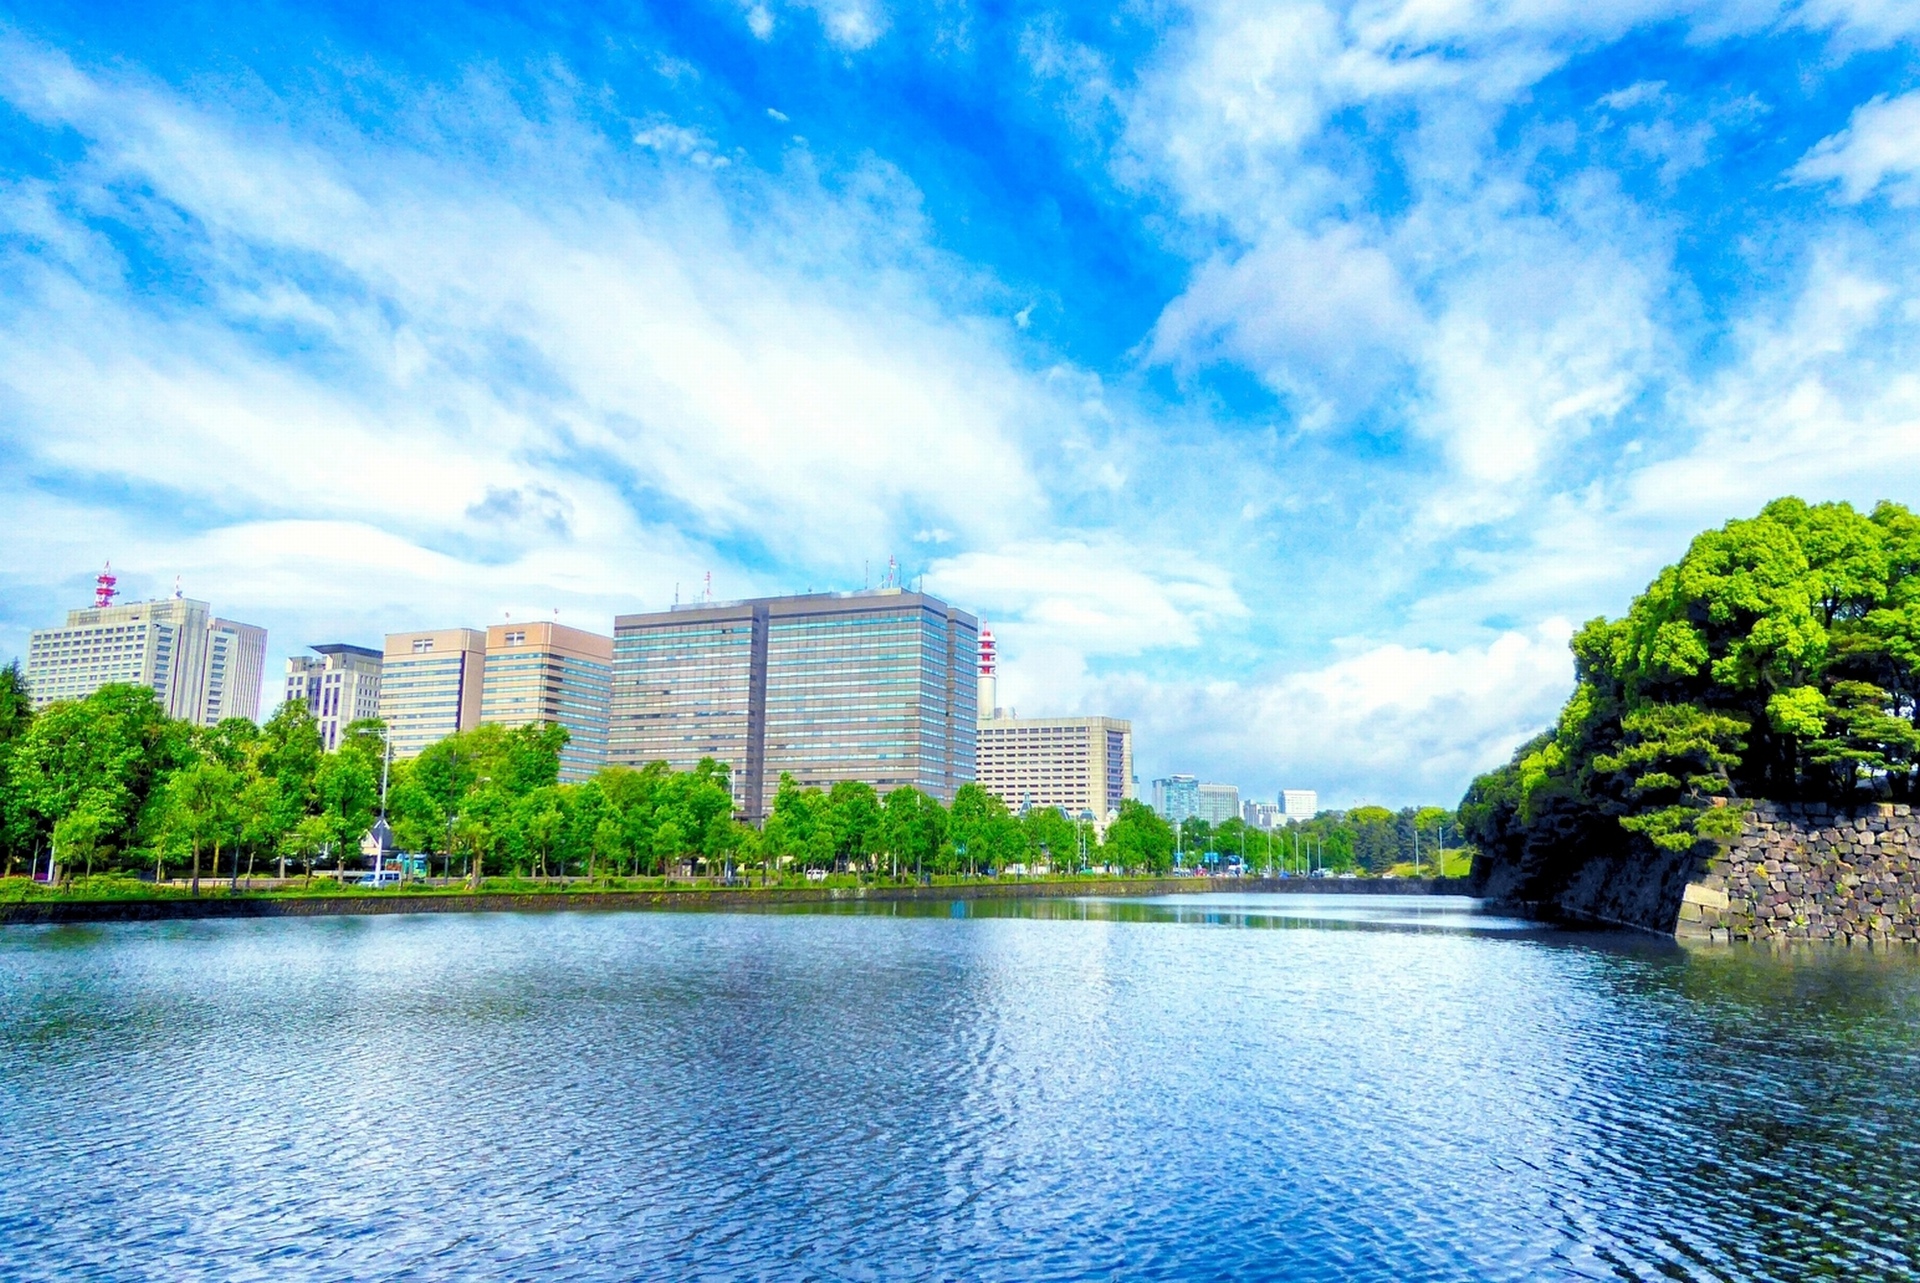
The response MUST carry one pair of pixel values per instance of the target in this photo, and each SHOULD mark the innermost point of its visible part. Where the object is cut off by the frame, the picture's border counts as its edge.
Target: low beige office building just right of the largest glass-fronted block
(1080, 765)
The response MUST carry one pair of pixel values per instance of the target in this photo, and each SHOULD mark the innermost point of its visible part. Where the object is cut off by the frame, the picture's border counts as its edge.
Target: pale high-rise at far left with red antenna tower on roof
(203, 669)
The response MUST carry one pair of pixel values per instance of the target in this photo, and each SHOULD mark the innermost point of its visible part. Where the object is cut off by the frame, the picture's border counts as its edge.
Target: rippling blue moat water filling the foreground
(1195, 1088)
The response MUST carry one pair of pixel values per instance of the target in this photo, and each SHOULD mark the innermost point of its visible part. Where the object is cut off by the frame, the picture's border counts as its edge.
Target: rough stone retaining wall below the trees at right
(1812, 873)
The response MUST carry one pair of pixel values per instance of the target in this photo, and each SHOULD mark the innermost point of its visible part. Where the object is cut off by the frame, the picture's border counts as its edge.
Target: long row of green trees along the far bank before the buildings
(110, 783)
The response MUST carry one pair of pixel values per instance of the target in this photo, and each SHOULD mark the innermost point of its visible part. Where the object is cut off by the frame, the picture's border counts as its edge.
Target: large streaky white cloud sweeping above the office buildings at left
(423, 383)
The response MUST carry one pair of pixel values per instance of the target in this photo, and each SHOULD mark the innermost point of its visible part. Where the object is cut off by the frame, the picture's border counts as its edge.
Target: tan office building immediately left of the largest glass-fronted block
(550, 673)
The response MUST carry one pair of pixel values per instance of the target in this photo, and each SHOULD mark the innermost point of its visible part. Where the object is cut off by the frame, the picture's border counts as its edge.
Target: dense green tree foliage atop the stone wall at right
(1777, 660)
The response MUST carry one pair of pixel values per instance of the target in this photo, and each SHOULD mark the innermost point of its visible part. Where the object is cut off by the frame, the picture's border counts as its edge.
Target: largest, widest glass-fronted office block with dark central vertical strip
(876, 687)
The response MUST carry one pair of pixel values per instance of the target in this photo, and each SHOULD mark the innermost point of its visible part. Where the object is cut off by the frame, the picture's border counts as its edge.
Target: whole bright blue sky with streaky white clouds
(1289, 377)
